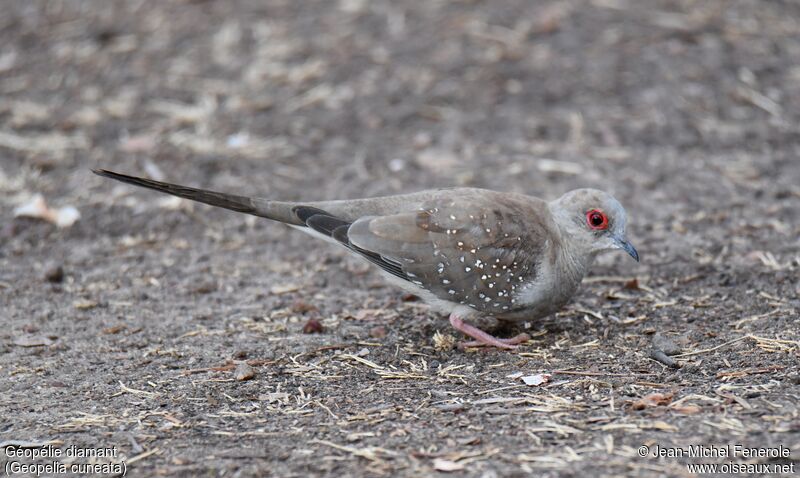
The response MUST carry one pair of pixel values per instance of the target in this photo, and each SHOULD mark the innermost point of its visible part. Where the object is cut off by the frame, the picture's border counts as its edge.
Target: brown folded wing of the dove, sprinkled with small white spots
(478, 250)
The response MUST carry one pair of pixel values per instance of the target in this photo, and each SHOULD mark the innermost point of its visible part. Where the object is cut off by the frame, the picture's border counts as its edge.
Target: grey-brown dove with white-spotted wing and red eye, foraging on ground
(467, 252)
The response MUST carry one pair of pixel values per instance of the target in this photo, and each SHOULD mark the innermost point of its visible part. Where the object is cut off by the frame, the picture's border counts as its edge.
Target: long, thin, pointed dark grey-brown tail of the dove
(279, 211)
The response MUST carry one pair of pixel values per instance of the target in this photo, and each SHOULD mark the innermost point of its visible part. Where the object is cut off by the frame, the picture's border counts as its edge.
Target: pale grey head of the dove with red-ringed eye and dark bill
(594, 220)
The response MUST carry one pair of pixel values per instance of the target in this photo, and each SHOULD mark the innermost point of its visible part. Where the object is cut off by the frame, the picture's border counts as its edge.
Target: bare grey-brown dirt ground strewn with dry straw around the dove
(174, 332)
